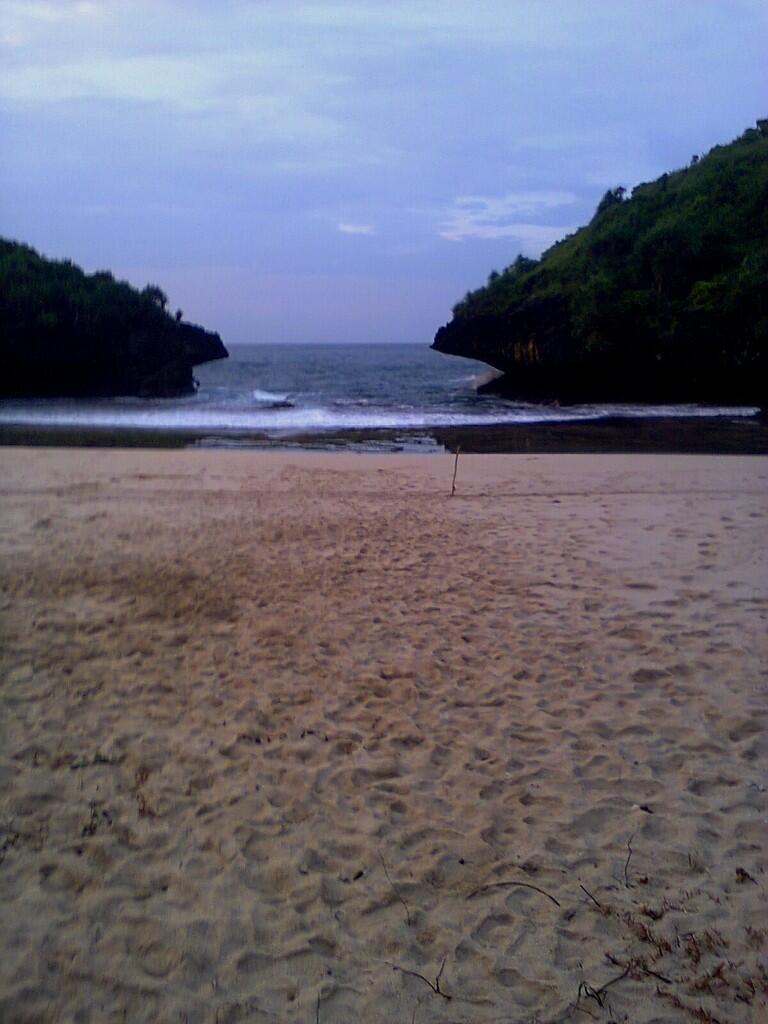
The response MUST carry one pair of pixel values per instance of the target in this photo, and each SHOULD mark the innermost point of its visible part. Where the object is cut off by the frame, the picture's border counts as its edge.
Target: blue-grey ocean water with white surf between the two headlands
(390, 398)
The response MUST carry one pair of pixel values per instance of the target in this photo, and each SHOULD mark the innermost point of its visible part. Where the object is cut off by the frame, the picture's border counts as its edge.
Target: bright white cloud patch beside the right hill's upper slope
(506, 218)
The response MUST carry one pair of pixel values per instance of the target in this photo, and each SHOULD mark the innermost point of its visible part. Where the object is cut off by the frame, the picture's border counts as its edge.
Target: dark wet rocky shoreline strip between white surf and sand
(716, 436)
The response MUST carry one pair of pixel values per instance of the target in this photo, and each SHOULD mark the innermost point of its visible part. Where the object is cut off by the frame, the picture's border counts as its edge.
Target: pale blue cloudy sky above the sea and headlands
(346, 172)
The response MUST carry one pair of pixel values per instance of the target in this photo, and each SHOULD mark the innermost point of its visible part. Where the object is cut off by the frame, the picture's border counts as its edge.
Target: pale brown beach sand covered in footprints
(296, 738)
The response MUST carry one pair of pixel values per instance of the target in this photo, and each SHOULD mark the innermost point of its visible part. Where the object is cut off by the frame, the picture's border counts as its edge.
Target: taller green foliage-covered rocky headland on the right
(665, 294)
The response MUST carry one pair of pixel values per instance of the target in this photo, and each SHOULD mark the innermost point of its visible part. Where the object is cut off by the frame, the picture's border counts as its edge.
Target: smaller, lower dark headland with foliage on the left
(65, 332)
